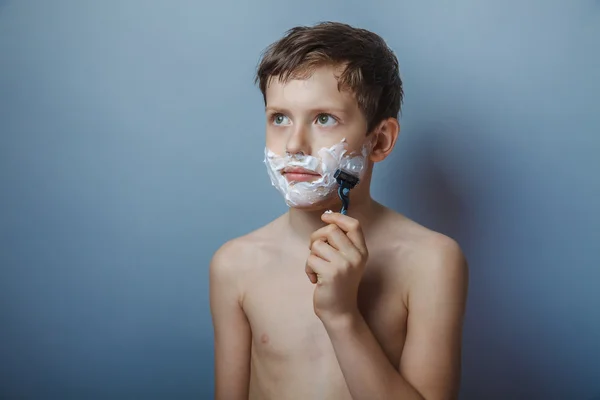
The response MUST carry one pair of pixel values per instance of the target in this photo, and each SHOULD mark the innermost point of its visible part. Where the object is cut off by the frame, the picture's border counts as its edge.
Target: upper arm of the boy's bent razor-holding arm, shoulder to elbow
(431, 359)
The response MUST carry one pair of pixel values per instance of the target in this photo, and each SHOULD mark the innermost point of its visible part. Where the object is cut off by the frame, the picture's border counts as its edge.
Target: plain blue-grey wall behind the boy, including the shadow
(131, 140)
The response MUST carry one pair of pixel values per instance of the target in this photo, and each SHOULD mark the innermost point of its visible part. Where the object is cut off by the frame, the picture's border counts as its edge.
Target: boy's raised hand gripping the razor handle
(338, 254)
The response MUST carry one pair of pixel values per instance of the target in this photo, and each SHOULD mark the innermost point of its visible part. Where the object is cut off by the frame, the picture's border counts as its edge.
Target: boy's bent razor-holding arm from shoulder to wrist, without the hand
(430, 362)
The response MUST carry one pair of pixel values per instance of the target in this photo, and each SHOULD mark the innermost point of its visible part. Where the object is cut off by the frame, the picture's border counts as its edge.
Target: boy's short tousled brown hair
(371, 69)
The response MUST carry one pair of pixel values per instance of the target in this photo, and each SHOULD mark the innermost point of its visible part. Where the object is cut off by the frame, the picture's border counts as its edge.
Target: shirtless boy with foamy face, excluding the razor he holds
(318, 304)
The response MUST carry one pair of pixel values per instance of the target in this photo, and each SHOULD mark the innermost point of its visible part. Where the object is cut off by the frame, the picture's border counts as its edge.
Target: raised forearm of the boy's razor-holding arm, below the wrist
(368, 372)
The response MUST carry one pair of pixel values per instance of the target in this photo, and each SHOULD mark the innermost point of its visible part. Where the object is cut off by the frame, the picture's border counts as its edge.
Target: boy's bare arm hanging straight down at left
(232, 334)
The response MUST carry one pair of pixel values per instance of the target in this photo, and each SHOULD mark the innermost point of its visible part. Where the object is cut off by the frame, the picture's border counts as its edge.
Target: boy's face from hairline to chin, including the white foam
(312, 129)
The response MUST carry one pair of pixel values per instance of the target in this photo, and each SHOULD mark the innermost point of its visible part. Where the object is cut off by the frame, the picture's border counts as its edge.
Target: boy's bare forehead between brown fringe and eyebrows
(319, 89)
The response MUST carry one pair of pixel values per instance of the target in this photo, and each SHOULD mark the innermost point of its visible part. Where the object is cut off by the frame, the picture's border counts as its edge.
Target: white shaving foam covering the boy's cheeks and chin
(328, 160)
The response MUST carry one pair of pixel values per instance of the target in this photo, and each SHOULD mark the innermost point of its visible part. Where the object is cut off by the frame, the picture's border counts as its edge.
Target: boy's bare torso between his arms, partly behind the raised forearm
(292, 356)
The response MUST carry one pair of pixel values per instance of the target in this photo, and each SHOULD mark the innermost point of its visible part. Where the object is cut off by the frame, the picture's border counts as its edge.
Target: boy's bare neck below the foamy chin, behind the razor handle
(304, 222)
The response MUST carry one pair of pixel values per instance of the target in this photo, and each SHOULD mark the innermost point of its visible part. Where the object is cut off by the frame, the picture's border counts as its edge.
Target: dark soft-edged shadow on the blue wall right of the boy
(441, 193)
